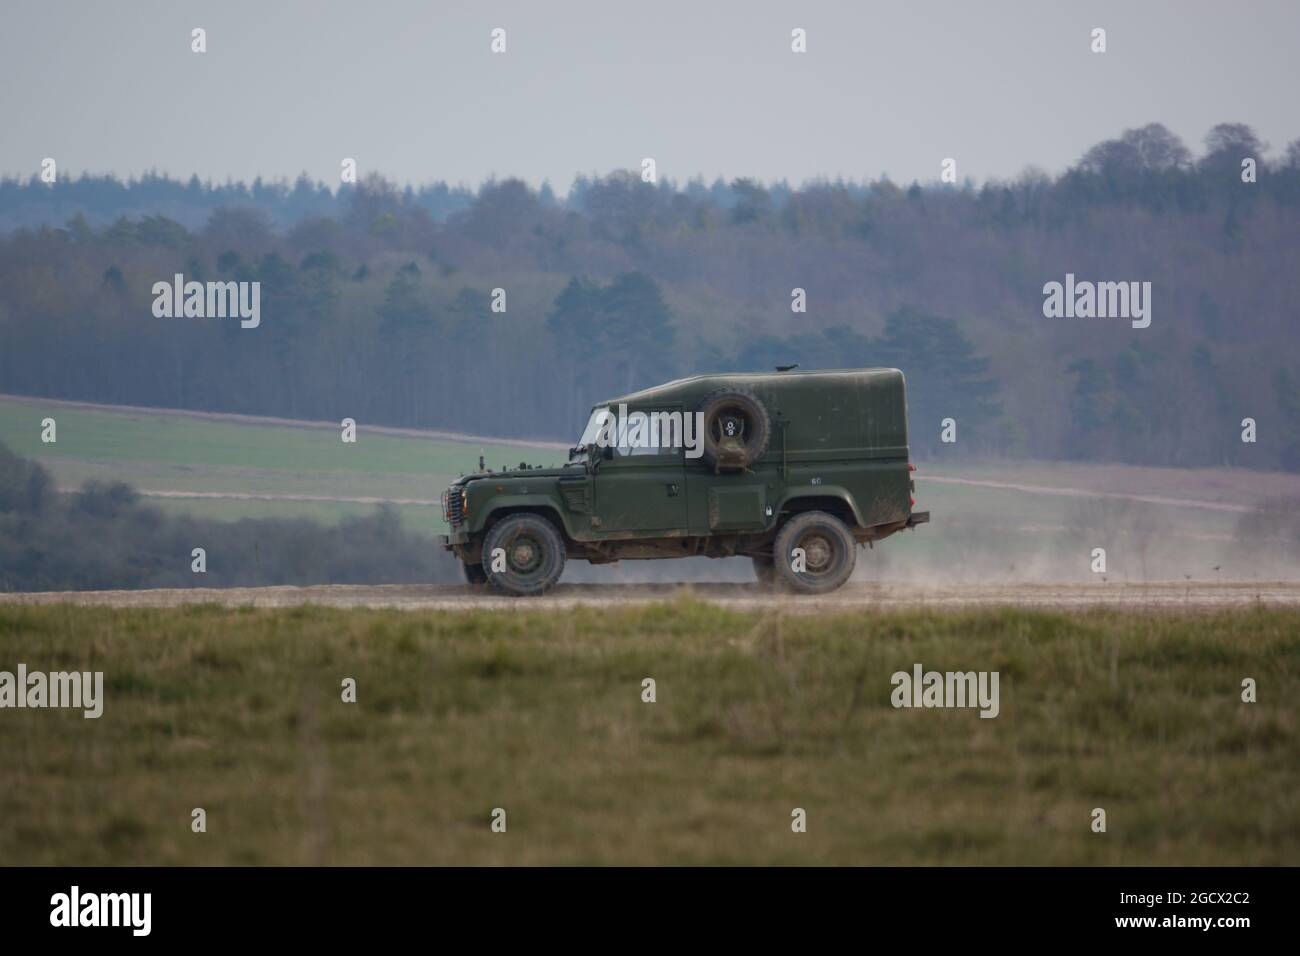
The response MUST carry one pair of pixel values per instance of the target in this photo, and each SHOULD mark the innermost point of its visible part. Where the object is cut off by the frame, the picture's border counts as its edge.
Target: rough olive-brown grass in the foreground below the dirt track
(541, 715)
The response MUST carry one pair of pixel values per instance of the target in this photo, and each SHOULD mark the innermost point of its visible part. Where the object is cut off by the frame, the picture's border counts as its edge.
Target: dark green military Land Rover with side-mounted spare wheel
(794, 470)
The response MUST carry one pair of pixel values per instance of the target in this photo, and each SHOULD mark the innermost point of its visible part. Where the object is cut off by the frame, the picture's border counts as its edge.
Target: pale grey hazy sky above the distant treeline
(709, 88)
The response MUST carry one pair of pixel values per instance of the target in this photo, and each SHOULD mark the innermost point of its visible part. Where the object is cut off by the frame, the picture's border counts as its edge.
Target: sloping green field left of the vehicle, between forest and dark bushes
(159, 451)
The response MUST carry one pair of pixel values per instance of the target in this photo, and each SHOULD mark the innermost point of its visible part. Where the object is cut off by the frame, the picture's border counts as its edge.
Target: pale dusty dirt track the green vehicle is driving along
(1163, 596)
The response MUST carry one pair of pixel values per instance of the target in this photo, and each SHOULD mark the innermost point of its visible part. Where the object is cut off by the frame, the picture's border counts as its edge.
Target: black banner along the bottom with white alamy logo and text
(335, 906)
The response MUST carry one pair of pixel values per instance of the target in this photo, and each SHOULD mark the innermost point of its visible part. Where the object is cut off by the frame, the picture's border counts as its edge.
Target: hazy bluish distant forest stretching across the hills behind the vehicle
(378, 301)
